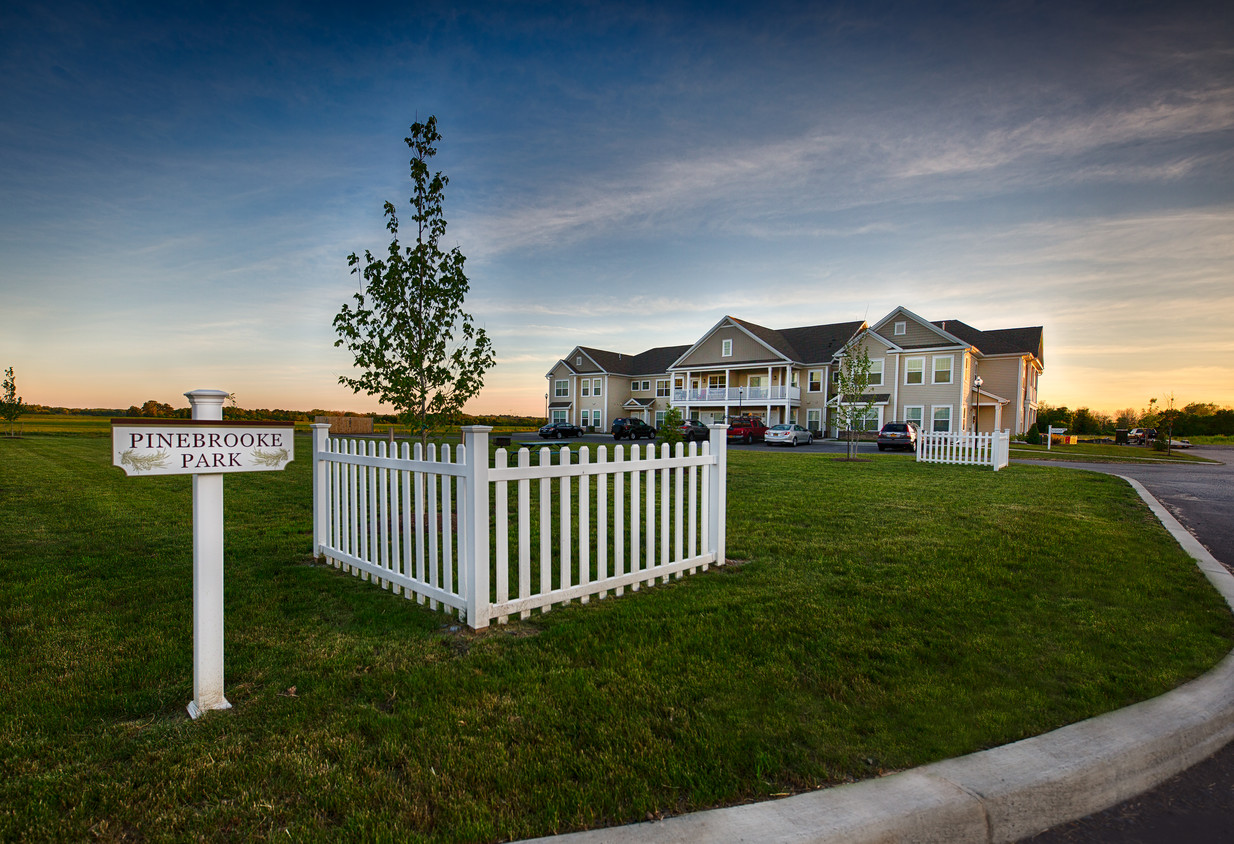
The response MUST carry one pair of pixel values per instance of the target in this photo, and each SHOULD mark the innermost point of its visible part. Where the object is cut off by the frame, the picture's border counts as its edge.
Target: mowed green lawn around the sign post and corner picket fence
(883, 615)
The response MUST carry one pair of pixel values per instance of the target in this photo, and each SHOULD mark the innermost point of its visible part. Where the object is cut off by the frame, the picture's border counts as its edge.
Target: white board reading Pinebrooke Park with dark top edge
(199, 447)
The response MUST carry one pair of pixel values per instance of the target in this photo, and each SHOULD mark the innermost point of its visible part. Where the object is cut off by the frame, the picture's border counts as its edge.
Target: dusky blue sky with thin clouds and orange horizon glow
(181, 186)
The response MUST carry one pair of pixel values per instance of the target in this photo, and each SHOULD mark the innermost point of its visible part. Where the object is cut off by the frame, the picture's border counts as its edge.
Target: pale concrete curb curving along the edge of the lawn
(1000, 795)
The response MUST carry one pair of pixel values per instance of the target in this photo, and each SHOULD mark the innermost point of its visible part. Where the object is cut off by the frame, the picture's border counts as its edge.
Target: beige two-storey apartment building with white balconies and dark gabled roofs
(921, 371)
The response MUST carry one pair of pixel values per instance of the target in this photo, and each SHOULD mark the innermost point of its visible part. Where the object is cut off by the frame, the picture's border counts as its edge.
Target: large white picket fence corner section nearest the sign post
(450, 530)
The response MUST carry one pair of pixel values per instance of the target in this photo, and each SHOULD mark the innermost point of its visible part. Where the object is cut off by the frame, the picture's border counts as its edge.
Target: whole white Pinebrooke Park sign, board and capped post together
(205, 447)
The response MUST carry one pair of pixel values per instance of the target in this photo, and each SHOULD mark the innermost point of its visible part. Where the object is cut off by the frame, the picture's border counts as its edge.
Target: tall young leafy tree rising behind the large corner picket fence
(419, 350)
